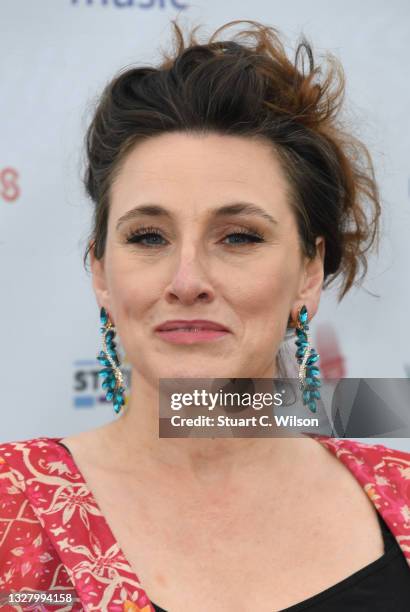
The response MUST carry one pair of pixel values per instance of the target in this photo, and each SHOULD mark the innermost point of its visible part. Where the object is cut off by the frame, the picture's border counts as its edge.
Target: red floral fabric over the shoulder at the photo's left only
(53, 536)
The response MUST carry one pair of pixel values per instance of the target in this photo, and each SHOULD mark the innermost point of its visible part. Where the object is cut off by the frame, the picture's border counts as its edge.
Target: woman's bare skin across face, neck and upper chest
(241, 504)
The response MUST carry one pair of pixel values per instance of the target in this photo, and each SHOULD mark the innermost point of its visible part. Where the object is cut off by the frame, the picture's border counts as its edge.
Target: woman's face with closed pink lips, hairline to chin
(220, 244)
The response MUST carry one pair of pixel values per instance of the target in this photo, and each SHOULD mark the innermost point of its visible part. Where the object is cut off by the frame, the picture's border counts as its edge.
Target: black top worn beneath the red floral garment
(381, 586)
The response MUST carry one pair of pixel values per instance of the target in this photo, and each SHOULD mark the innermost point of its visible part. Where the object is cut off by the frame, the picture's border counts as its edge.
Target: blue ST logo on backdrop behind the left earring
(88, 392)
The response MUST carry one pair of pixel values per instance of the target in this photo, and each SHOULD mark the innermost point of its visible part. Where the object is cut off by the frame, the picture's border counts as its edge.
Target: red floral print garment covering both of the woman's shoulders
(54, 538)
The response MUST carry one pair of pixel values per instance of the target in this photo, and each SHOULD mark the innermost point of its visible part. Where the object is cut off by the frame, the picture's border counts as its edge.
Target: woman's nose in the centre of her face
(190, 281)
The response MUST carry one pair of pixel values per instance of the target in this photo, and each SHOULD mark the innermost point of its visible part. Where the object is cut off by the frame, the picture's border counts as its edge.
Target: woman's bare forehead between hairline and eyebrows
(196, 170)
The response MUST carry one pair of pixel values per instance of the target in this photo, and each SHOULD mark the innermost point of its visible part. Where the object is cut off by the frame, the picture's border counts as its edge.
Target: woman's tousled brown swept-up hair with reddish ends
(248, 88)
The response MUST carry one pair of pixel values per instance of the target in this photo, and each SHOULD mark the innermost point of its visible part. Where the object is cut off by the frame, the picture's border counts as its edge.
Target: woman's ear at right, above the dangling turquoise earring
(312, 281)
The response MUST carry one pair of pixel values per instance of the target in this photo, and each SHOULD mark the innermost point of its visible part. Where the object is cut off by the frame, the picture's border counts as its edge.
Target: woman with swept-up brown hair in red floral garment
(225, 190)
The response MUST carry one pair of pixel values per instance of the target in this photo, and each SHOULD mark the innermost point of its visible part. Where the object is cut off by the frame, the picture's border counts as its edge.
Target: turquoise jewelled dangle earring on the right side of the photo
(307, 359)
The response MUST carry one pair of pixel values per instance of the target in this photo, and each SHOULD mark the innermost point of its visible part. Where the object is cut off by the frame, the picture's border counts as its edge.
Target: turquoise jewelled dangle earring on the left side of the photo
(111, 374)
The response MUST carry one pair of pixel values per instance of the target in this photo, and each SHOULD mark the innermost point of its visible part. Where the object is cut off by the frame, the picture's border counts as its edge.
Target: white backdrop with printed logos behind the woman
(56, 56)
